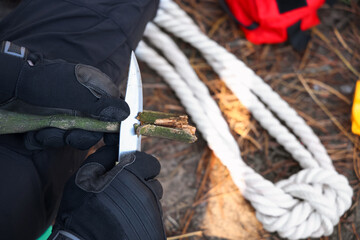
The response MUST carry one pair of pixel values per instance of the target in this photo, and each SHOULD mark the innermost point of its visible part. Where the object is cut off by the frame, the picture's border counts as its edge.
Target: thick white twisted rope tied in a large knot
(309, 203)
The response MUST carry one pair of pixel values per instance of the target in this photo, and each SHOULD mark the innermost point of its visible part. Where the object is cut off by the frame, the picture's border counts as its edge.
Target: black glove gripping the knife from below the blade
(108, 201)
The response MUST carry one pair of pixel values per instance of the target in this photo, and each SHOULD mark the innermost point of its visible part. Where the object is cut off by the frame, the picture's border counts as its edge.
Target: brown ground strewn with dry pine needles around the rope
(200, 197)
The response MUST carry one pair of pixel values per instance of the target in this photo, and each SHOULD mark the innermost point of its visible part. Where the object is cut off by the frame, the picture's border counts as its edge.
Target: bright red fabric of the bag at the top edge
(272, 24)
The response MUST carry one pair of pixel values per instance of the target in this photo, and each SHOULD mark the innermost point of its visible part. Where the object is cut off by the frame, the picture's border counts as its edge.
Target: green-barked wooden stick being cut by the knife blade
(11, 122)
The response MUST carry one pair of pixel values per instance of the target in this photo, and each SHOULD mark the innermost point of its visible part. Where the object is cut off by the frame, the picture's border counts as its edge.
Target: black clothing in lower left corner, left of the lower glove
(32, 182)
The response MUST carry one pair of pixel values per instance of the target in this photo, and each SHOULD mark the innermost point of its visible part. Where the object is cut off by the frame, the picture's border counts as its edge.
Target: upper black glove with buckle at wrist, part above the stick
(31, 84)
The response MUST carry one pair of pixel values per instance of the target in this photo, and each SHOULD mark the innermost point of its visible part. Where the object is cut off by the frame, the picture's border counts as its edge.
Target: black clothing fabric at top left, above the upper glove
(100, 33)
